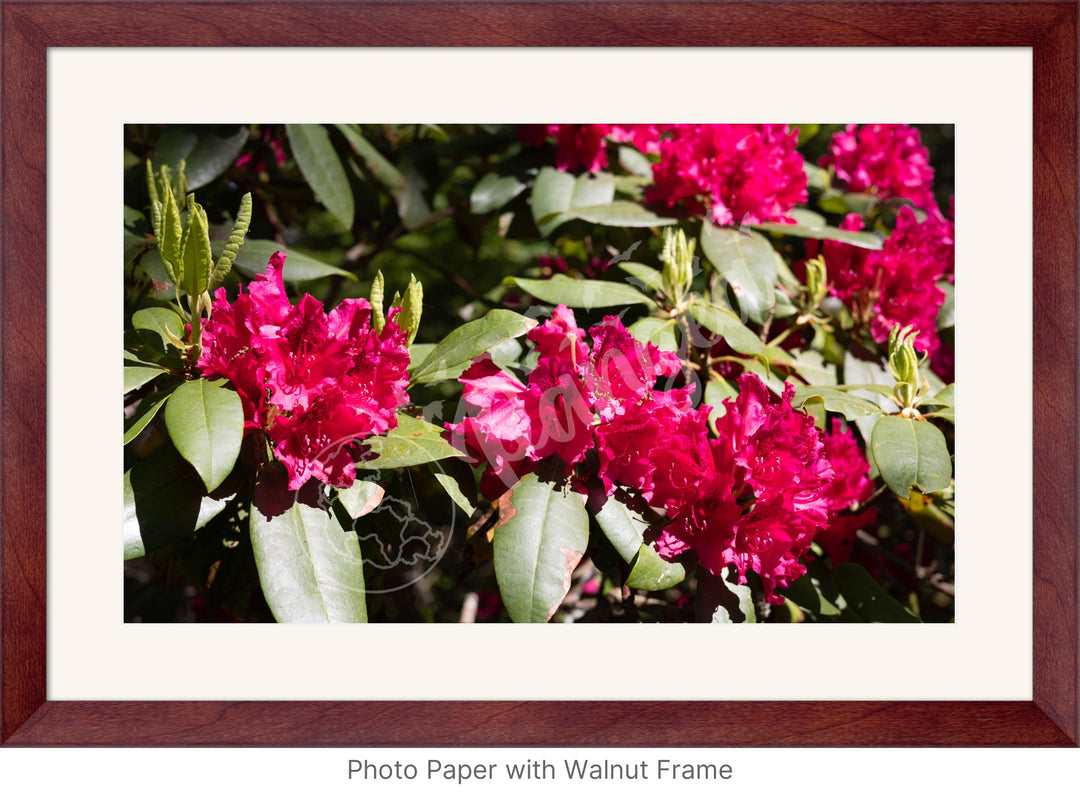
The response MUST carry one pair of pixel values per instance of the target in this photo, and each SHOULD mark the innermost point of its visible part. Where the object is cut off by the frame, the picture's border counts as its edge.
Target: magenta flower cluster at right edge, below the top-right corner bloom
(897, 286)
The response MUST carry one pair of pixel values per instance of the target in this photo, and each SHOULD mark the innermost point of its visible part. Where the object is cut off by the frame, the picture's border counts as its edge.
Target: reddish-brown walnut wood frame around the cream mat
(29, 719)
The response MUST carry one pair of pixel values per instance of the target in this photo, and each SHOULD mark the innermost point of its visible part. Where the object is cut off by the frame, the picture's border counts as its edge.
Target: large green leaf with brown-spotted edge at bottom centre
(542, 535)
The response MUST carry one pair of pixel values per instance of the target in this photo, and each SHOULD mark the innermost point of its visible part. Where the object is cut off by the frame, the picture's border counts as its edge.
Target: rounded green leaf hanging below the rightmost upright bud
(911, 454)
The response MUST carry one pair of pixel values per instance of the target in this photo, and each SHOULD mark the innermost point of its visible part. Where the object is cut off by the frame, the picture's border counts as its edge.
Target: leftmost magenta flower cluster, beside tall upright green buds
(315, 383)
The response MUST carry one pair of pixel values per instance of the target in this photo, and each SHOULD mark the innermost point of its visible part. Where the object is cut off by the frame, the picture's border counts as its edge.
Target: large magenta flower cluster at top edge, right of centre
(738, 173)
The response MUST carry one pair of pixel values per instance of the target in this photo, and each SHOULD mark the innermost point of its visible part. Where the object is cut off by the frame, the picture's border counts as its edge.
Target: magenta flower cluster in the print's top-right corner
(889, 160)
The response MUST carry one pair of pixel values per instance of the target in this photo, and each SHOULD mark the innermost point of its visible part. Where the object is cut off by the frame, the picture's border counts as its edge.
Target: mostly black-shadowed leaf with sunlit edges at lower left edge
(164, 502)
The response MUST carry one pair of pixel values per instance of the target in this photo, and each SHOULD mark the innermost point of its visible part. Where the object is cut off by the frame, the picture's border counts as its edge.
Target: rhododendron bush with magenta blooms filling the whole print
(546, 373)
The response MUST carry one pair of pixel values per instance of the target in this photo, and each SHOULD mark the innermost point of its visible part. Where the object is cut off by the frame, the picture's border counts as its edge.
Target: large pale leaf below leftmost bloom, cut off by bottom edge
(310, 568)
